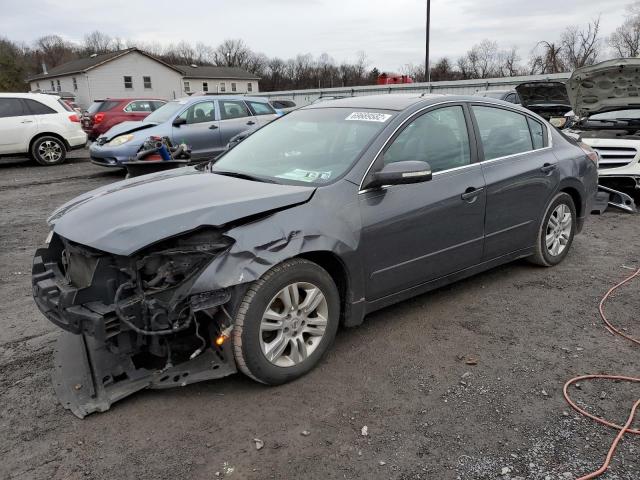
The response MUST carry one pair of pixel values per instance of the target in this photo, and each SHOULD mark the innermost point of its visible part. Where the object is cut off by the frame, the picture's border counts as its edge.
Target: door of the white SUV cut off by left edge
(17, 126)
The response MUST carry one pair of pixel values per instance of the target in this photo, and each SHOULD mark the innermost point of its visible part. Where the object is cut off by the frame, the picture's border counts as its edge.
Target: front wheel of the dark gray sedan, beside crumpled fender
(286, 322)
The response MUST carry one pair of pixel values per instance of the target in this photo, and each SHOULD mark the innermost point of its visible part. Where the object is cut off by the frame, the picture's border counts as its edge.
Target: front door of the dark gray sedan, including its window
(416, 233)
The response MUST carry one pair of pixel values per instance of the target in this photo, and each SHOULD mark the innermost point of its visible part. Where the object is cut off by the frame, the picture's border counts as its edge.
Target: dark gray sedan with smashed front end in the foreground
(338, 209)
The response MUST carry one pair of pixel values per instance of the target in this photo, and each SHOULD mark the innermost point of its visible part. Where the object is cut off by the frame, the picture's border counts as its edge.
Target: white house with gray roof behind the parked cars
(133, 73)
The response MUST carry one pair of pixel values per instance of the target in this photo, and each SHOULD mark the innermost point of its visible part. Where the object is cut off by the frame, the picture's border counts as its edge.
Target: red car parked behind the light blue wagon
(104, 114)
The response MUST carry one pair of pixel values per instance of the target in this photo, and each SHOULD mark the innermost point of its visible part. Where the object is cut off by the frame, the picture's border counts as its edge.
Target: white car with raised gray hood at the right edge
(607, 117)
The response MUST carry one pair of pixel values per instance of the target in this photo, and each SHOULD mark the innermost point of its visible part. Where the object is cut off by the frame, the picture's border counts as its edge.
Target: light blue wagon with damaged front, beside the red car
(204, 123)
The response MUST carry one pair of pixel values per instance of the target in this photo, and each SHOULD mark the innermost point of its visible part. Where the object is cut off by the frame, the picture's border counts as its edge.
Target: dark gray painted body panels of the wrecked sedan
(389, 240)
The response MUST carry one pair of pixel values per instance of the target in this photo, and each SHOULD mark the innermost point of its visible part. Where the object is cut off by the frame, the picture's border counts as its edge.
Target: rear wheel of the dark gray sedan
(556, 231)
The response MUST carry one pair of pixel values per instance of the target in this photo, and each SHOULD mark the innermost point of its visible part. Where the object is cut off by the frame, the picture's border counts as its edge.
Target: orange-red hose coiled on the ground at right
(627, 426)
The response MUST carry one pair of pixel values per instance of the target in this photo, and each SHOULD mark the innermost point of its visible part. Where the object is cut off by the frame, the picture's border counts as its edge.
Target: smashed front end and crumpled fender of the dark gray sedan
(159, 317)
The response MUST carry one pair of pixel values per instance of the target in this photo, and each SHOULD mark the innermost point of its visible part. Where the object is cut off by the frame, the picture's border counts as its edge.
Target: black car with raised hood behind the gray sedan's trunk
(548, 99)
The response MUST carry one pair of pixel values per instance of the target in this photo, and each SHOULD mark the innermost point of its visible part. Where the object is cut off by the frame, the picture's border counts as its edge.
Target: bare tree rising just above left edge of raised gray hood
(581, 47)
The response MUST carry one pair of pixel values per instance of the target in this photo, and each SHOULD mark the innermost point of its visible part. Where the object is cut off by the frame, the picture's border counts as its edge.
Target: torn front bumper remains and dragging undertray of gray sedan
(90, 374)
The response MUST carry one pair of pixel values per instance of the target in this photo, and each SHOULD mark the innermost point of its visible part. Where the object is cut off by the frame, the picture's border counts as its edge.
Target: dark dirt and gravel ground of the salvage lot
(403, 374)
